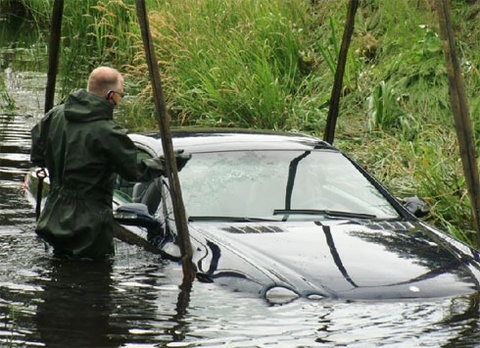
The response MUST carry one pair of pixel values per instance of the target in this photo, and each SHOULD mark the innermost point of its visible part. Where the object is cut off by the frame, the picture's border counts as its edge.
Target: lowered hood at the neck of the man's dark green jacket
(82, 106)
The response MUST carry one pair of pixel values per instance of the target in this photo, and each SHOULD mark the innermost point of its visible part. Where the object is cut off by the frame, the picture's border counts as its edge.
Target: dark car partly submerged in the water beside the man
(288, 215)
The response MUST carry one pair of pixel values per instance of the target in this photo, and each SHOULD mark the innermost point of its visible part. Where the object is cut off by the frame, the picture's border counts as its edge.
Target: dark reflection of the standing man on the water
(75, 305)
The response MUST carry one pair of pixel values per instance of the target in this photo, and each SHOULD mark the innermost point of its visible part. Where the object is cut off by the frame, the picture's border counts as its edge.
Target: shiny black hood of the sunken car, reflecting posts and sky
(336, 258)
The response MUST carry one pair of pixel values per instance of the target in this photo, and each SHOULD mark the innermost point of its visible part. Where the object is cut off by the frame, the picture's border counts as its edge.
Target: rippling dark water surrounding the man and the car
(135, 300)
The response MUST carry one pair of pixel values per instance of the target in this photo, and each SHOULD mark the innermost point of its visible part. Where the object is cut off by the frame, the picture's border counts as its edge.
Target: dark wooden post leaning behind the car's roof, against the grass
(339, 72)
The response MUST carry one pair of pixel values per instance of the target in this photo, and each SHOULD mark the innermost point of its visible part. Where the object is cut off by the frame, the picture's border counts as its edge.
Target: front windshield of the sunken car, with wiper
(279, 184)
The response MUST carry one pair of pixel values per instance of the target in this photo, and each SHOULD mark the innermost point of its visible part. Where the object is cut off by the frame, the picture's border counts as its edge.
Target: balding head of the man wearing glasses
(104, 79)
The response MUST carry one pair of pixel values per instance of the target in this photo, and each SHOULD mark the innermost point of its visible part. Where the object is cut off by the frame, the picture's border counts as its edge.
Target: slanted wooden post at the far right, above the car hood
(461, 115)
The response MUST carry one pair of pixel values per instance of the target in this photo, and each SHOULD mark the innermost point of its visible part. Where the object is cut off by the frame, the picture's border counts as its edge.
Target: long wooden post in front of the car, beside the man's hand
(166, 137)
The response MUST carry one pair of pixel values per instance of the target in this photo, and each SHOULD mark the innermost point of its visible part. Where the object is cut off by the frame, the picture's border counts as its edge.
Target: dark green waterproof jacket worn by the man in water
(83, 150)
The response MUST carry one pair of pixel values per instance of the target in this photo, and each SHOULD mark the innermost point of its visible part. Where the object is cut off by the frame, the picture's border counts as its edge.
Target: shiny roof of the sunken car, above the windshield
(208, 140)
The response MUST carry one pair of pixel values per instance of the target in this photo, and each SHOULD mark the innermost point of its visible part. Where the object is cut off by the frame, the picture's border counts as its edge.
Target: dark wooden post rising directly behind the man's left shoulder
(53, 48)
